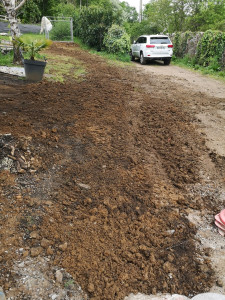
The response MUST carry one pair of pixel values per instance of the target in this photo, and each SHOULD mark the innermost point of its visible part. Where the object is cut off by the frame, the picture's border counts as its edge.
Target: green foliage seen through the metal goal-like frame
(60, 31)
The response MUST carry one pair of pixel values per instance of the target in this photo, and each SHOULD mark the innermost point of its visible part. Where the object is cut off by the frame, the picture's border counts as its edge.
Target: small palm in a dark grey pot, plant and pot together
(34, 69)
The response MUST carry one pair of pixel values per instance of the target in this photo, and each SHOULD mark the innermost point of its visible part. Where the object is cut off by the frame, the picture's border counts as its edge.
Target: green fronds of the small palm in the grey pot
(32, 47)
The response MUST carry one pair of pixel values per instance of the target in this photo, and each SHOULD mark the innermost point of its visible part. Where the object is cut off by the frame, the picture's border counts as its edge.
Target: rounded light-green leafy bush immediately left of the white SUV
(117, 40)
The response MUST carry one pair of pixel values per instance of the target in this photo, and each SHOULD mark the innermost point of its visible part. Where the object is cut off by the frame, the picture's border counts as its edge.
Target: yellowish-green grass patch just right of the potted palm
(59, 68)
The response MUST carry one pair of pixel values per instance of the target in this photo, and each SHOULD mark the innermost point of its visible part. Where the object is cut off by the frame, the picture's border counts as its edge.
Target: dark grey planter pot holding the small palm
(34, 69)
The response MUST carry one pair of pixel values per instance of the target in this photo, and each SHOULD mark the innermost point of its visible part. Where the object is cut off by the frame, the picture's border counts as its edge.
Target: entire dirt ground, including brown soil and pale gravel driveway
(112, 181)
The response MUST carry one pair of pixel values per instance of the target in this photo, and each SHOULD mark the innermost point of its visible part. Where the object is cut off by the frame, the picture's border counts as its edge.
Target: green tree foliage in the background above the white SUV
(182, 15)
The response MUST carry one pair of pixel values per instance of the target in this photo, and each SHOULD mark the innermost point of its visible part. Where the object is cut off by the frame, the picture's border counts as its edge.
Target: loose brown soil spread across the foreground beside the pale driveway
(106, 199)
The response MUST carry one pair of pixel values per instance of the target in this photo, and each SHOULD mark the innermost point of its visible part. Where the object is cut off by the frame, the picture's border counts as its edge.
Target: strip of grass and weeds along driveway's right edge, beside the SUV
(212, 70)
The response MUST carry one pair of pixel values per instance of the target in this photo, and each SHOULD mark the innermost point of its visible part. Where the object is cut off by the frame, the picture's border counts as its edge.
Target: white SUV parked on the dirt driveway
(152, 47)
